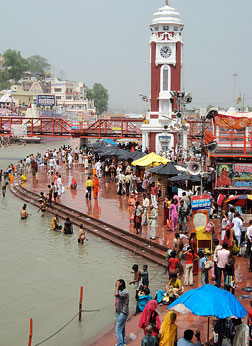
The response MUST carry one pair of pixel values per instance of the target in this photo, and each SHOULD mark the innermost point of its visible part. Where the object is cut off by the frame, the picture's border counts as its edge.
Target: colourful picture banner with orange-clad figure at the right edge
(234, 175)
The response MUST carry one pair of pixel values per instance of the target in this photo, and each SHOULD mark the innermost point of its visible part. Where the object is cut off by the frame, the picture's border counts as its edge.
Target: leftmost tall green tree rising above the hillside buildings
(15, 64)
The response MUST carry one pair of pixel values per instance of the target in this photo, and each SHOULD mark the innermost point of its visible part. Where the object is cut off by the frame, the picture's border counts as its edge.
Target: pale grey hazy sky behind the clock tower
(108, 42)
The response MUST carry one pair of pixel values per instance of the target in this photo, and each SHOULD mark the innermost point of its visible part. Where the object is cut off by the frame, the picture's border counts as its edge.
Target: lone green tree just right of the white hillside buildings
(100, 96)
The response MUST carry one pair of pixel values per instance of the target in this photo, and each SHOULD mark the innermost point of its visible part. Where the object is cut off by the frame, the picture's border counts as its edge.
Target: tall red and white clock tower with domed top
(166, 62)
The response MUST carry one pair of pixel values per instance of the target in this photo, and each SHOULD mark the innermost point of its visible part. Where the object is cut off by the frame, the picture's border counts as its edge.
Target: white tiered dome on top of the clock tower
(166, 15)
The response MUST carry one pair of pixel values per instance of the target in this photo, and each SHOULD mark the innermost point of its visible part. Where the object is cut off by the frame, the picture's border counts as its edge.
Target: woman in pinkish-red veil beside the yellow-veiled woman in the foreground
(150, 316)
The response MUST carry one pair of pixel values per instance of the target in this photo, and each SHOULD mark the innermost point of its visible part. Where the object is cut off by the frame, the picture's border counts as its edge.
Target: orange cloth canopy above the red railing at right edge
(233, 120)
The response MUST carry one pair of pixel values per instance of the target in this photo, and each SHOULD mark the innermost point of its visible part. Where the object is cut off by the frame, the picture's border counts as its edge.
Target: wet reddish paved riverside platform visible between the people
(113, 209)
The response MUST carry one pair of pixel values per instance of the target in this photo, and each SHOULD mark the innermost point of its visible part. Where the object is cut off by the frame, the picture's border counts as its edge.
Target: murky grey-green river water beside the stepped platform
(41, 273)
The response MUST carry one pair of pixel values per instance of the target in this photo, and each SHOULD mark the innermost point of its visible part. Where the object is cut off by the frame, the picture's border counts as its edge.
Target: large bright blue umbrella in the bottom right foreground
(208, 300)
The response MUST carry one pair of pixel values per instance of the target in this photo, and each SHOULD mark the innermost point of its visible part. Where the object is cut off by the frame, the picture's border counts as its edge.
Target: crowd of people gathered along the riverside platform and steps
(143, 197)
